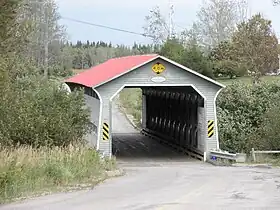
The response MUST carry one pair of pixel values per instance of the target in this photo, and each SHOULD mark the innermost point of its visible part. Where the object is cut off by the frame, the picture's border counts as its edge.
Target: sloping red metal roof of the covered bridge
(110, 69)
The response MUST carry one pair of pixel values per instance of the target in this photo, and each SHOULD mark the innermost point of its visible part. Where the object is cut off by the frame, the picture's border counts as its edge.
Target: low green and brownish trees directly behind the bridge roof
(252, 50)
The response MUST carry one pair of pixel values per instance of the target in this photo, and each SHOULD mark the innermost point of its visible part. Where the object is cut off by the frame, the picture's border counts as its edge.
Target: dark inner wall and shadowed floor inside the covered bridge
(171, 115)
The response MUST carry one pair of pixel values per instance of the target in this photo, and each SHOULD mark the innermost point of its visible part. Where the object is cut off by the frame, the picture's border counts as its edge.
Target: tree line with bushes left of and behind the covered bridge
(34, 47)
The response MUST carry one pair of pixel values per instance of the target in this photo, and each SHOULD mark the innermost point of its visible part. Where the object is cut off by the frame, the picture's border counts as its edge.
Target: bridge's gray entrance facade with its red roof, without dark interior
(137, 71)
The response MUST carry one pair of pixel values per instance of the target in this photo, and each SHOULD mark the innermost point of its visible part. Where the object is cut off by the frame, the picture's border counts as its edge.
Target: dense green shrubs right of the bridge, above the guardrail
(248, 117)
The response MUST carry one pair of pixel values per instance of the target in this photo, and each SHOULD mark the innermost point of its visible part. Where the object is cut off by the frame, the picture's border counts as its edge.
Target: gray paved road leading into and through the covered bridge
(159, 179)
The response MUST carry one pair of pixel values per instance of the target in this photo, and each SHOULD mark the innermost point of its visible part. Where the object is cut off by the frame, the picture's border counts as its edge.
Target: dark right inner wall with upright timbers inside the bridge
(173, 113)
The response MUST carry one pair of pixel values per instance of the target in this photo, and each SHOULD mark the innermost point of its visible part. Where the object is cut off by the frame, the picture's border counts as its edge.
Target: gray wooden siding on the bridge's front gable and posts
(173, 75)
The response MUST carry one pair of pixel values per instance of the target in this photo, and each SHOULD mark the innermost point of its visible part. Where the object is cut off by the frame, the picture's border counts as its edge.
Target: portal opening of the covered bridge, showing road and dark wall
(168, 124)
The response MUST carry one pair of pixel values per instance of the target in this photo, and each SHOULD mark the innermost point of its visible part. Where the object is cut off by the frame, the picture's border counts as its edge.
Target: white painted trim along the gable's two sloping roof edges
(167, 60)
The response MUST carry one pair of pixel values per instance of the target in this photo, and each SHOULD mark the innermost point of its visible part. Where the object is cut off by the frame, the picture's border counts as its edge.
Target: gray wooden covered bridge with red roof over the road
(179, 104)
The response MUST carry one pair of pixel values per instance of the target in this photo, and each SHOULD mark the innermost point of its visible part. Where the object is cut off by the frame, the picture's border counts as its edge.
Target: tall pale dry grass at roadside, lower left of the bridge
(26, 172)
